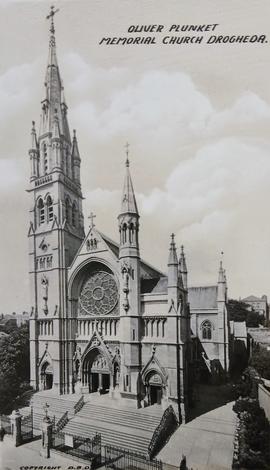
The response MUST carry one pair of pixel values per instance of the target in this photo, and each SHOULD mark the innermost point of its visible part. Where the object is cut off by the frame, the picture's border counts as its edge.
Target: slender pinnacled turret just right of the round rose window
(129, 260)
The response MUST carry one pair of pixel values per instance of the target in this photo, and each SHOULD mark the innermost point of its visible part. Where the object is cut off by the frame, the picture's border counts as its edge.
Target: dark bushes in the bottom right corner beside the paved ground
(254, 435)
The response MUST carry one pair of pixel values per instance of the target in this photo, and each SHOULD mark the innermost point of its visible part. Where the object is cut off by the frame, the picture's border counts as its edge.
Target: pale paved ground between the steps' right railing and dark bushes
(207, 441)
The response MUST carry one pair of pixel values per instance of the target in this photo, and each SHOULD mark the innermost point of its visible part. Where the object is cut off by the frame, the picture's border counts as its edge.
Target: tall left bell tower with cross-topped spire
(56, 230)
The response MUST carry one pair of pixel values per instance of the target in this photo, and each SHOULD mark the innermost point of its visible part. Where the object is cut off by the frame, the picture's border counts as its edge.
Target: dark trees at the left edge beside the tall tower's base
(14, 367)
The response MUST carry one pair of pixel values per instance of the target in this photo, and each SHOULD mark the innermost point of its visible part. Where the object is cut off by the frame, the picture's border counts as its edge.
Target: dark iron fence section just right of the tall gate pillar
(77, 446)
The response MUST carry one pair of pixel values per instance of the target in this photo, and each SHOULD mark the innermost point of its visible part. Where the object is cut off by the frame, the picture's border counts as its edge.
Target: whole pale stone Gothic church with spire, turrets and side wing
(102, 319)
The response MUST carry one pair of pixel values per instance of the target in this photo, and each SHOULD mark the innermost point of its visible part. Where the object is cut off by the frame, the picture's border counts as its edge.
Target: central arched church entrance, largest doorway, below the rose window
(96, 373)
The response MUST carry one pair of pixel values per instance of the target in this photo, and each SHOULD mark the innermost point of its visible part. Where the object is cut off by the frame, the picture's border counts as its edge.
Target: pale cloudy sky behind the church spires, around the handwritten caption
(196, 117)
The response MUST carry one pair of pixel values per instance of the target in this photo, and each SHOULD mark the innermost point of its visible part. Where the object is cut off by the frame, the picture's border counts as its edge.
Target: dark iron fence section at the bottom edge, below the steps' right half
(122, 459)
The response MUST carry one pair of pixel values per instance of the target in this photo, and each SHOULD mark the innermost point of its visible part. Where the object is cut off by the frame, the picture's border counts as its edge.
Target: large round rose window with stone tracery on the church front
(99, 295)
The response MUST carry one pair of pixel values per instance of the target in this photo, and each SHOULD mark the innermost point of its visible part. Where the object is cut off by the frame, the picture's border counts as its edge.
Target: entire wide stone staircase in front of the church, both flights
(118, 421)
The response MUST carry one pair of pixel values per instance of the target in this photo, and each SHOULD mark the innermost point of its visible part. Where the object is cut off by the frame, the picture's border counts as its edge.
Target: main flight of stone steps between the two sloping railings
(130, 429)
